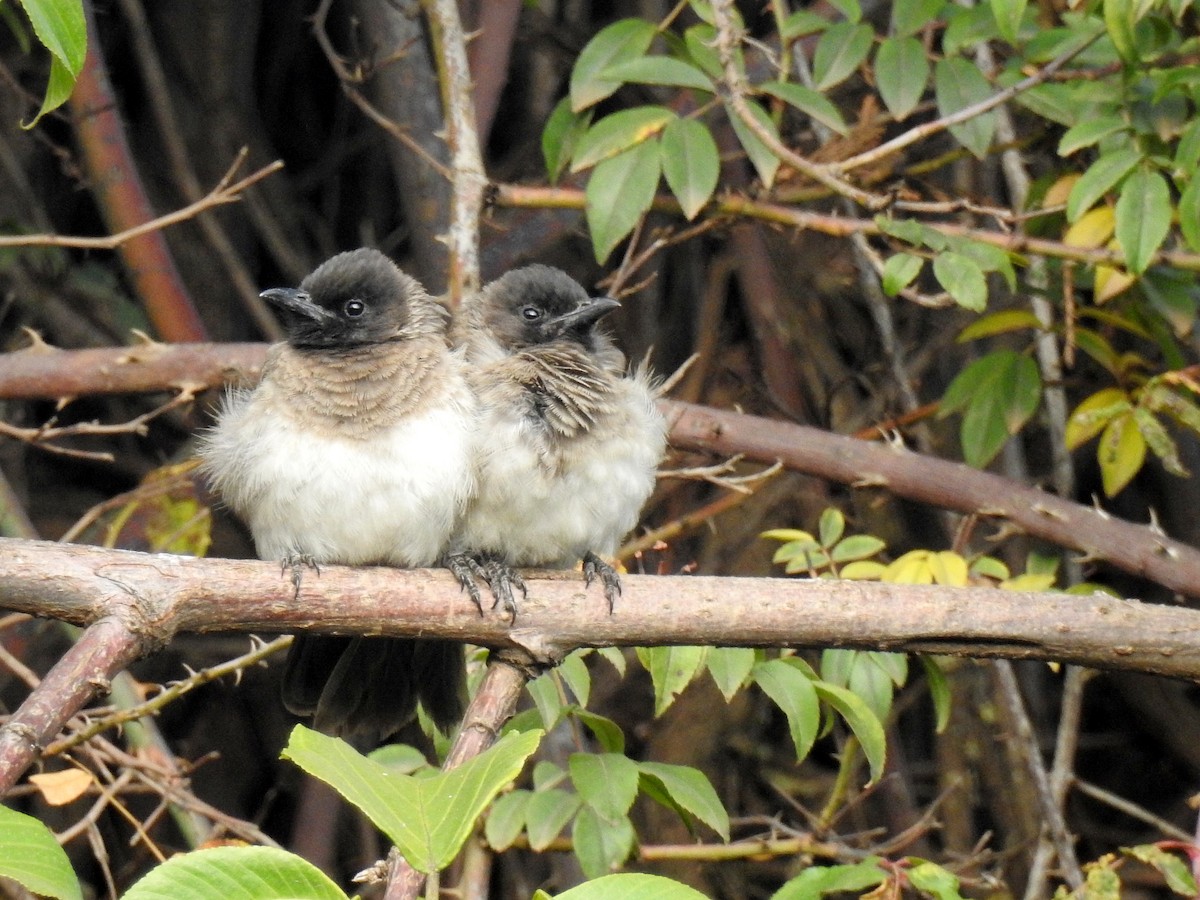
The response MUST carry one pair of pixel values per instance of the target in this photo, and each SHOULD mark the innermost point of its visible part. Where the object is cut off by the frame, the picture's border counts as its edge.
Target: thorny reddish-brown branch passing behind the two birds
(1131, 548)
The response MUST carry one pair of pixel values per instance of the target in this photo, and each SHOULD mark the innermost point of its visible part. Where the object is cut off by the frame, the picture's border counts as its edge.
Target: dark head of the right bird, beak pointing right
(538, 305)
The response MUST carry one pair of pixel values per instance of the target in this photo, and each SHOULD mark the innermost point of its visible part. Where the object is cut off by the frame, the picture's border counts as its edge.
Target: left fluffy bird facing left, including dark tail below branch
(357, 448)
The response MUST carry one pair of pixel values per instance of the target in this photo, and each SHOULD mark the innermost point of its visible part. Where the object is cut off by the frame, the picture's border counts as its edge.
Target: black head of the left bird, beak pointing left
(355, 299)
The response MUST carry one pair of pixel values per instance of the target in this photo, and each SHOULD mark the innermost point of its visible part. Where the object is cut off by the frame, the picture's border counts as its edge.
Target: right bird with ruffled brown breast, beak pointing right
(571, 442)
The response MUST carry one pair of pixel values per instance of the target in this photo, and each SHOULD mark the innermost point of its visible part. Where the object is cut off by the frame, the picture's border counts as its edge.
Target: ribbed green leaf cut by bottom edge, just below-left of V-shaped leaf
(236, 874)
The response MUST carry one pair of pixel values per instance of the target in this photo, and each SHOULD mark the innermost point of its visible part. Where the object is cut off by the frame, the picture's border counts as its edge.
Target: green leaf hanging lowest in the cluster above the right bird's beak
(619, 193)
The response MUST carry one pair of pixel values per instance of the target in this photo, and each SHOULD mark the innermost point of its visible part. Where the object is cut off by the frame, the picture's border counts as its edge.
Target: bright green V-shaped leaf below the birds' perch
(429, 819)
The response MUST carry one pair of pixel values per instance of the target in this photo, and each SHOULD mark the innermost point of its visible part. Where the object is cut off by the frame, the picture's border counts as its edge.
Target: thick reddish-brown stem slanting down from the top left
(118, 190)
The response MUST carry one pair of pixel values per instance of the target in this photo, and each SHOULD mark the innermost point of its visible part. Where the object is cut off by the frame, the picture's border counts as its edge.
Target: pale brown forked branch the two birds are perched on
(136, 602)
